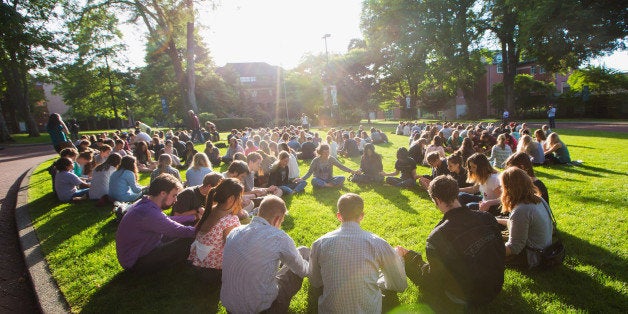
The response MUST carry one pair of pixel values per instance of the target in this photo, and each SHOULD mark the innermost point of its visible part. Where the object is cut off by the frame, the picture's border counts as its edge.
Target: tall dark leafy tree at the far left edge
(25, 43)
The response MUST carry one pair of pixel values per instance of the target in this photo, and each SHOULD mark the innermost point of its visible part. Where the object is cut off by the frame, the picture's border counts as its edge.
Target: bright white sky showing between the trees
(280, 32)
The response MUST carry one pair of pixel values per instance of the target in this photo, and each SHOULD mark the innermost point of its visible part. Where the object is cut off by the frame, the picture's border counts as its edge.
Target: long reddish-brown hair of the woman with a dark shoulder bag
(517, 188)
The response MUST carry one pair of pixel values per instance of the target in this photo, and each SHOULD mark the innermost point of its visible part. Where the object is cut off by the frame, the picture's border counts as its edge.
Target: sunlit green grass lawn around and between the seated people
(589, 202)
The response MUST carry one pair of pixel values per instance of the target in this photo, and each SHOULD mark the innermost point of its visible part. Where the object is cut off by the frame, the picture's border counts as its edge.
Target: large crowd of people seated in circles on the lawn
(204, 227)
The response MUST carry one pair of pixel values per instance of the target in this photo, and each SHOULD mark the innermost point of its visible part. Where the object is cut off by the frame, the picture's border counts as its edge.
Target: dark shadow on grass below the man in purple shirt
(176, 290)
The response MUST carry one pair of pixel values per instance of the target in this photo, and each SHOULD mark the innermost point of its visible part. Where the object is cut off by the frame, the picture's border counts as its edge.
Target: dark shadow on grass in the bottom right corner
(580, 290)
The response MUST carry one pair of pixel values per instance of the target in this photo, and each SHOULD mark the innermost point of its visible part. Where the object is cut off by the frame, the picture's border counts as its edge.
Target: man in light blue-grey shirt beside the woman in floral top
(252, 280)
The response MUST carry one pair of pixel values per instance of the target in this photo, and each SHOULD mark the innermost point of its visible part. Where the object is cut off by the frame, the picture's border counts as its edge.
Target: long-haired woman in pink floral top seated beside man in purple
(212, 230)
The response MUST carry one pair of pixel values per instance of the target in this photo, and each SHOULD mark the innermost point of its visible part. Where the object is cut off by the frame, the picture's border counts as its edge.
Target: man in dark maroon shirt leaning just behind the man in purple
(192, 199)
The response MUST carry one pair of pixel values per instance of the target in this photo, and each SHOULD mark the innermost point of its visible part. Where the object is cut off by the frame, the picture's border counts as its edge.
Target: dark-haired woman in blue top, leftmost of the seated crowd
(66, 182)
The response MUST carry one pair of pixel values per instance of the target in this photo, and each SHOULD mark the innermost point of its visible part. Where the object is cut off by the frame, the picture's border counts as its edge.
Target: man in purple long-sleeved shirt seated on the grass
(147, 239)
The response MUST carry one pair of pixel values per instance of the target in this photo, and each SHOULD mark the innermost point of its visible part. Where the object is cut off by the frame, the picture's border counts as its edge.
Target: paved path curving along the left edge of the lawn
(16, 292)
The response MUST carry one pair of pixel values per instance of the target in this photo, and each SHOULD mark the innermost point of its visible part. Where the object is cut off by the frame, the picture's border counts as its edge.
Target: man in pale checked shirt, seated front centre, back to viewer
(347, 263)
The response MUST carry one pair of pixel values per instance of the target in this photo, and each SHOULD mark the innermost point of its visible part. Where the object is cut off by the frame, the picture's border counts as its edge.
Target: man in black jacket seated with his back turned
(465, 252)
